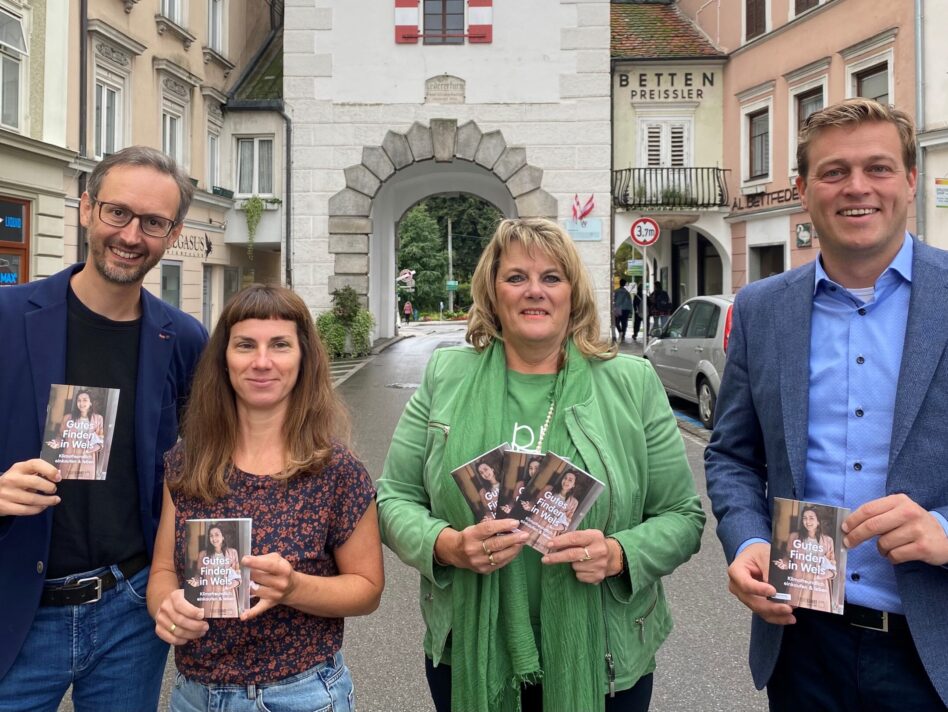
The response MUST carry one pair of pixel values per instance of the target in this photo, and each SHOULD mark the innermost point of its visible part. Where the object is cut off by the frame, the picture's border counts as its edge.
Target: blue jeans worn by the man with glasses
(107, 651)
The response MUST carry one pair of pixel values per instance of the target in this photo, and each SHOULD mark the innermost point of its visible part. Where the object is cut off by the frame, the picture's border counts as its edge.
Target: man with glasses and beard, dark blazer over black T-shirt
(75, 555)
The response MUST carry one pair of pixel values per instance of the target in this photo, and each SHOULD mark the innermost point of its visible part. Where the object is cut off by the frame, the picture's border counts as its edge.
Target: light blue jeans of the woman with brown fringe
(324, 688)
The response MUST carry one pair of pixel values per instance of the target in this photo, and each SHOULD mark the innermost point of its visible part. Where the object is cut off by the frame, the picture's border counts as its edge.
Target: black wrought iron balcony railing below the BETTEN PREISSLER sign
(669, 188)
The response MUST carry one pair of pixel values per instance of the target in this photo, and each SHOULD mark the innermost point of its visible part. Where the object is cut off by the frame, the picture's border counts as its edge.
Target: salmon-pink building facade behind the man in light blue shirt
(786, 59)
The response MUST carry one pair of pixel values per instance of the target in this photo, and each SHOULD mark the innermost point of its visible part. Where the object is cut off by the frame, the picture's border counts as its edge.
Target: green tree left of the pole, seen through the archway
(421, 249)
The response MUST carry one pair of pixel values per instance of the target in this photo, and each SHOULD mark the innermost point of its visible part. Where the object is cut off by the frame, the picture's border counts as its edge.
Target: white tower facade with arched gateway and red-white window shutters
(394, 101)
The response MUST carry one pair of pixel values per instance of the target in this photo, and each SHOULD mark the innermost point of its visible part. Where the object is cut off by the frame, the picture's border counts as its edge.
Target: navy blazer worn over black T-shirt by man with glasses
(33, 328)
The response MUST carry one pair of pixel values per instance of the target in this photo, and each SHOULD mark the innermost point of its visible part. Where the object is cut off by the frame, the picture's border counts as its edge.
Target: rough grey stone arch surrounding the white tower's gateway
(425, 160)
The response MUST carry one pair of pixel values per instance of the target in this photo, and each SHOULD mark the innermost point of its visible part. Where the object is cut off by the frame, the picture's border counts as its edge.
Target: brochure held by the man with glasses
(80, 423)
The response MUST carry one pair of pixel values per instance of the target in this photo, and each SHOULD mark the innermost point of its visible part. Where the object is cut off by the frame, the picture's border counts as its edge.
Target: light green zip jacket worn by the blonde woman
(627, 436)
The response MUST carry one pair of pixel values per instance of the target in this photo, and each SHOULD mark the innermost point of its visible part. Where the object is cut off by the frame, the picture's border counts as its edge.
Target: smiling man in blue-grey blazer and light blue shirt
(836, 391)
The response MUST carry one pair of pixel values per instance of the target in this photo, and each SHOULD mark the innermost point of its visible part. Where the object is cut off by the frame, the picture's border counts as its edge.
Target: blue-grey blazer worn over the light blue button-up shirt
(759, 444)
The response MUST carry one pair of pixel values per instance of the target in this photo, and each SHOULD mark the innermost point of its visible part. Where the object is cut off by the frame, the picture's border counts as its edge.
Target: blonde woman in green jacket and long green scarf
(575, 630)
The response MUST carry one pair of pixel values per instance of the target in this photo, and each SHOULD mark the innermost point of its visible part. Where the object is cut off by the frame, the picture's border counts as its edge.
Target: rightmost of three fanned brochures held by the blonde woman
(557, 499)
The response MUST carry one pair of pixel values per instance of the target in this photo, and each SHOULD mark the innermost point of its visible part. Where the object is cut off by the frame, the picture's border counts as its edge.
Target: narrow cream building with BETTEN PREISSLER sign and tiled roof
(668, 163)
